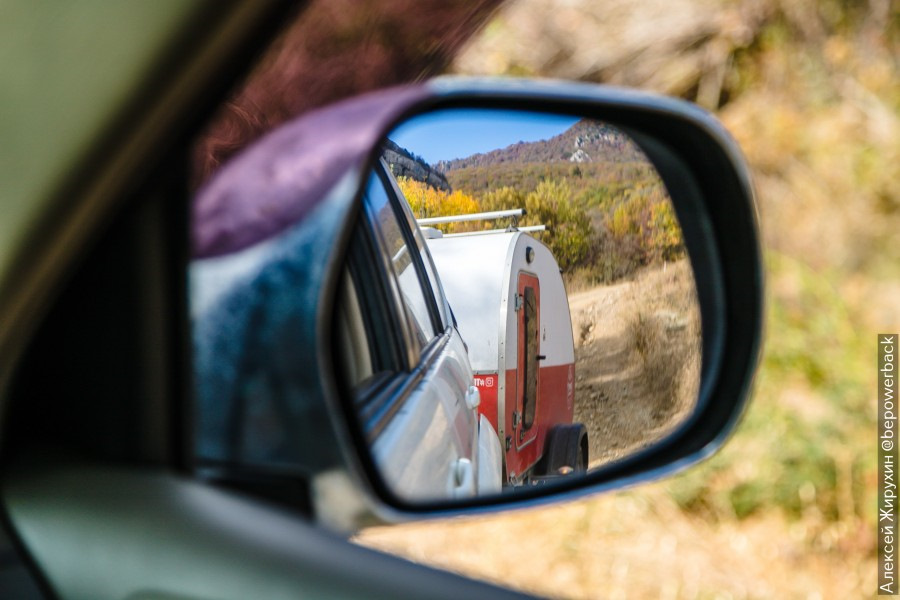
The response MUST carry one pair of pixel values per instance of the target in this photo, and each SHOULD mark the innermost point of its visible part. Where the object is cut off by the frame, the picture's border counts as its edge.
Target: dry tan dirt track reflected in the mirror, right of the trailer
(637, 359)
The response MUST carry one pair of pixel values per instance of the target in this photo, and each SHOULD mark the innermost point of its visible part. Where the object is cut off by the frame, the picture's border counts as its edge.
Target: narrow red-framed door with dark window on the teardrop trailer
(529, 351)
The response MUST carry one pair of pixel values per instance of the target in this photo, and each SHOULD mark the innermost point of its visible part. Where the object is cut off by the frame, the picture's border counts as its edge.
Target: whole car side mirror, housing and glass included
(476, 293)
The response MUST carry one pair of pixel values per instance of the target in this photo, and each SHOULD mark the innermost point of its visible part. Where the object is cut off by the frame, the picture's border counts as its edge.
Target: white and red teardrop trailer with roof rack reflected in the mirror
(508, 298)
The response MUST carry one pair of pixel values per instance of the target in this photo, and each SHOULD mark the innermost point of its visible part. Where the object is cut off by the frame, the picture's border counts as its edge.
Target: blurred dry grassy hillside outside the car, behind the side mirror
(787, 509)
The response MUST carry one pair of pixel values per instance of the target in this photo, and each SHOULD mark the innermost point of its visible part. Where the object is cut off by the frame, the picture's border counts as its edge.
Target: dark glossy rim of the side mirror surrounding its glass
(713, 197)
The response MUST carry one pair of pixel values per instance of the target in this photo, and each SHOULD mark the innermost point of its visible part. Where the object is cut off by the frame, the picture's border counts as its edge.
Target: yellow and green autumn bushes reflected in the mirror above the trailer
(599, 228)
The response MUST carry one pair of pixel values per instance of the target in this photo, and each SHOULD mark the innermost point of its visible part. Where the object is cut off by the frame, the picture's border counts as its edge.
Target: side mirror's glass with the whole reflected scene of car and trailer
(518, 305)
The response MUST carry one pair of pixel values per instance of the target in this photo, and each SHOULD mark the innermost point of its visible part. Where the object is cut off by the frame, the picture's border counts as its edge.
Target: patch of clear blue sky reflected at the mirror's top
(458, 133)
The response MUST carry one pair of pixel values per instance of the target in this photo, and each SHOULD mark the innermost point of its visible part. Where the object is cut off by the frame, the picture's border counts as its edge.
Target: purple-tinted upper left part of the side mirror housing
(277, 180)
